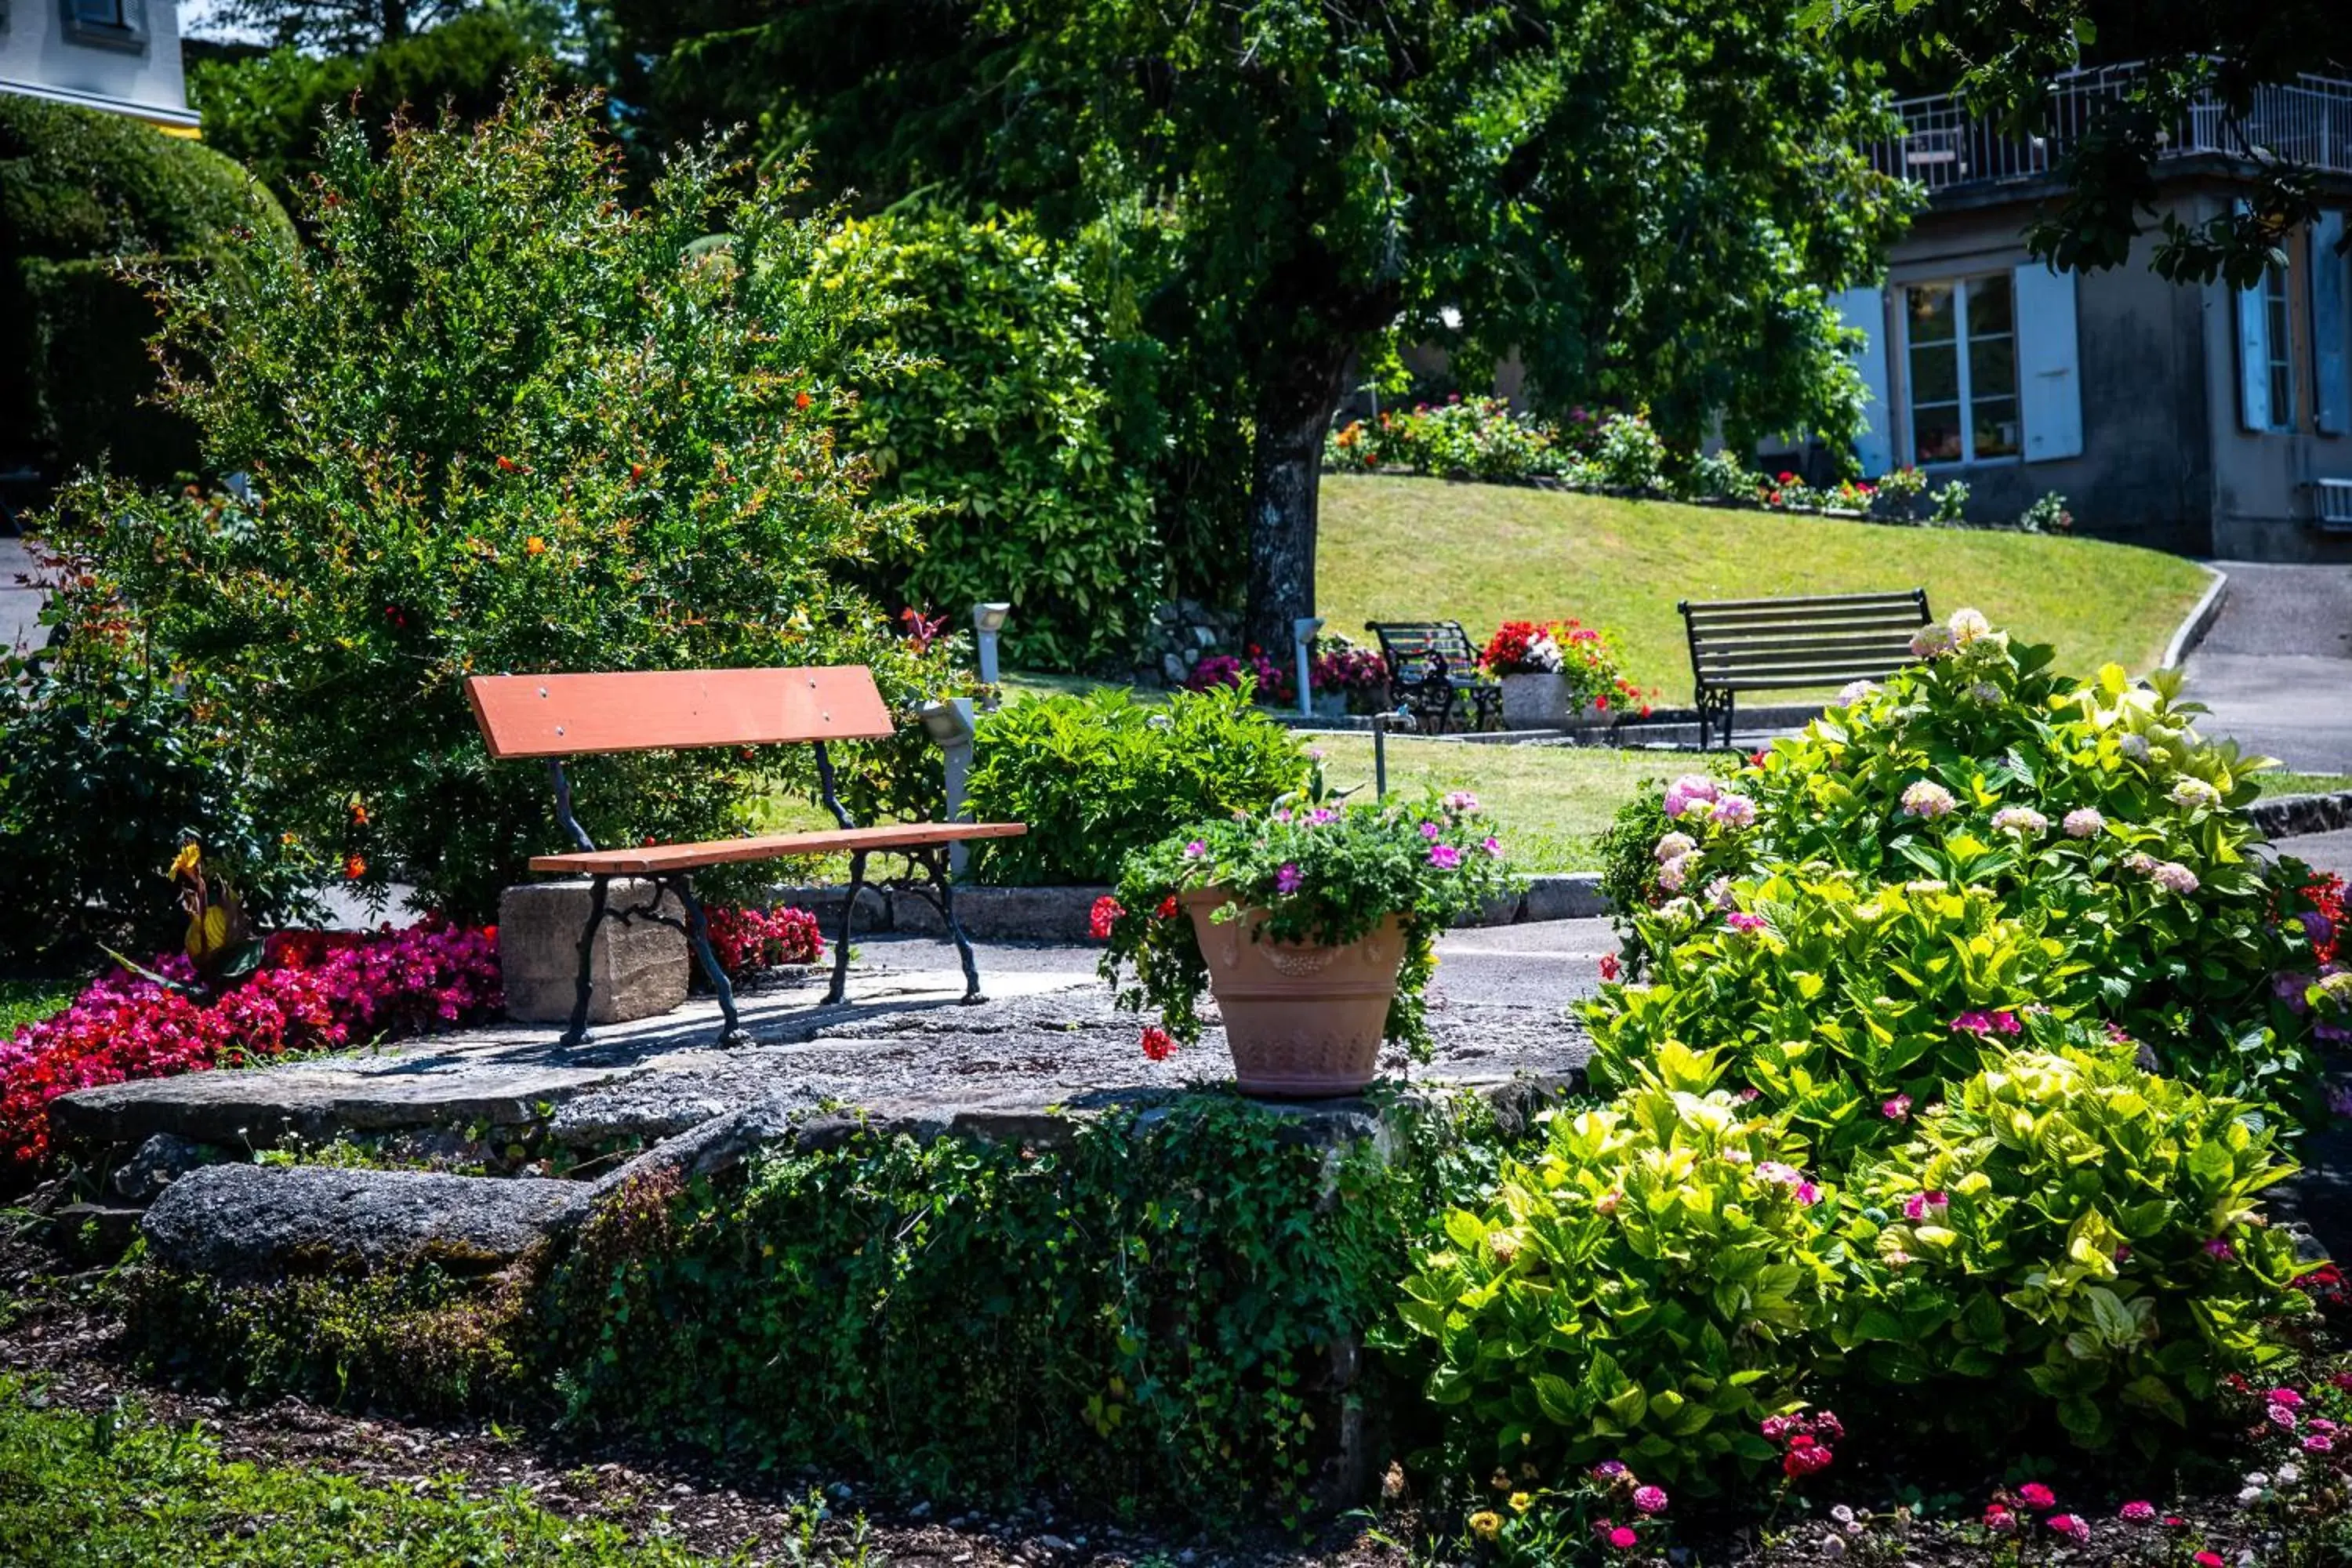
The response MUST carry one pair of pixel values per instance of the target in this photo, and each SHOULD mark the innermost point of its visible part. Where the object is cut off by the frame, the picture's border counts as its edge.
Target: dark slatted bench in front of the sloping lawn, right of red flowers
(1782, 645)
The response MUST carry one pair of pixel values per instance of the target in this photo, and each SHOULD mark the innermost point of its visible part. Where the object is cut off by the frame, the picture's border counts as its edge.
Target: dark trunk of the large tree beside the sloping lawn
(1295, 413)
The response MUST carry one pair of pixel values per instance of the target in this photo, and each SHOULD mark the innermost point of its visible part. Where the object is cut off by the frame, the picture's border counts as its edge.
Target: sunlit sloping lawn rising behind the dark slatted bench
(1488, 554)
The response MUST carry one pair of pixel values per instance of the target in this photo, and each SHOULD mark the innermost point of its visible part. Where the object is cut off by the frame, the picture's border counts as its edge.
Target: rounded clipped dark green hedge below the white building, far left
(79, 192)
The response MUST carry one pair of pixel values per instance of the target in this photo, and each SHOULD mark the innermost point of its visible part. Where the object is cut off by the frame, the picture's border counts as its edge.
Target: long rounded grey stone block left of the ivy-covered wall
(262, 1221)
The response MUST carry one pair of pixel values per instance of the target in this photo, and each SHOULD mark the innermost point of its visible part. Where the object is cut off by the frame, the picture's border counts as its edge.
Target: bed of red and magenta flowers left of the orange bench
(314, 993)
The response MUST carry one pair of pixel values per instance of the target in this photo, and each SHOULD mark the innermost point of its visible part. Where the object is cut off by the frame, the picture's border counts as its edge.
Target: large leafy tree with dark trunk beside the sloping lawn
(1645, 199)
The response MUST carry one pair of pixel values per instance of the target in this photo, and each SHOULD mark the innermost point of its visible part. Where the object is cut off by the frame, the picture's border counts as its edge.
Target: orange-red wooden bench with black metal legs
(580, 716)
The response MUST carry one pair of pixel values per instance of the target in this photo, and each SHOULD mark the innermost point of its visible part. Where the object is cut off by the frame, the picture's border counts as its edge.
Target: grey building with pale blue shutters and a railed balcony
(2186, 417)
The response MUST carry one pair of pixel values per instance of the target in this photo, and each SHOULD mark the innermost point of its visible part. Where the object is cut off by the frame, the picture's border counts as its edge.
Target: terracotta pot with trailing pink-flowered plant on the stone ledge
(1314, 925)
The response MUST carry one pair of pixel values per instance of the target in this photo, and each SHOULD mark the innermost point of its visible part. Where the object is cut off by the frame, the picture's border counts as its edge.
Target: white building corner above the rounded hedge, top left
(114, 55)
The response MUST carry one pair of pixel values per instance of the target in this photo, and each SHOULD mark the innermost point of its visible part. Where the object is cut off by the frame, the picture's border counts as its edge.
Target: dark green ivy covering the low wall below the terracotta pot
(1158, 1313)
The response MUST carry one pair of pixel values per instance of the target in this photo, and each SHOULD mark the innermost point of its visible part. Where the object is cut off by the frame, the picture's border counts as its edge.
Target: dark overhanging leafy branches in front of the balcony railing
(2000, 58)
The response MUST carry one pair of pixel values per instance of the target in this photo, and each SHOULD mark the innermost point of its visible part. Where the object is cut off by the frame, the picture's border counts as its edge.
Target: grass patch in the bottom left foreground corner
(119, 1489)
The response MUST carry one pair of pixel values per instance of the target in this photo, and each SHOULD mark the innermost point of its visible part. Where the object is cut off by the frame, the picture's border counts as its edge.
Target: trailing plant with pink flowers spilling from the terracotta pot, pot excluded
(1299, 873)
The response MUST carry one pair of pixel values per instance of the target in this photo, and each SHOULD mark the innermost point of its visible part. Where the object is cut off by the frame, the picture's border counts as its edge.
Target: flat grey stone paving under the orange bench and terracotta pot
(900, 1047)
